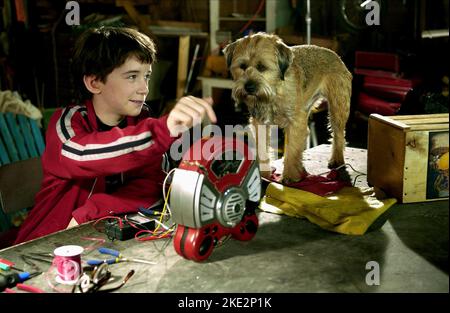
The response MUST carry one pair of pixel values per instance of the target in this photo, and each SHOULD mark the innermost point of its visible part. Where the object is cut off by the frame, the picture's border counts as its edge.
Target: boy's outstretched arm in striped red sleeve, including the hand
(75, 152)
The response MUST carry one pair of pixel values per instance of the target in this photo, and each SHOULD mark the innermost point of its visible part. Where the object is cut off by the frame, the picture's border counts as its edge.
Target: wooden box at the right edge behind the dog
(408, 156)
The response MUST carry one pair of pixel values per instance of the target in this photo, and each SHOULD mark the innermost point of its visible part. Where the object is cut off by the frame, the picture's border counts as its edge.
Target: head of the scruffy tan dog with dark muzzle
(258, 63)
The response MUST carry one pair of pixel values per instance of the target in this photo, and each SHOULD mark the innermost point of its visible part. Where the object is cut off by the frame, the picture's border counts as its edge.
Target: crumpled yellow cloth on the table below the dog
(349, 211)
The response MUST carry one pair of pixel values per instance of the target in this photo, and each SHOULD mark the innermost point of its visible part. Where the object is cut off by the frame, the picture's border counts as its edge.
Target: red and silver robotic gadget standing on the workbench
(214, 195)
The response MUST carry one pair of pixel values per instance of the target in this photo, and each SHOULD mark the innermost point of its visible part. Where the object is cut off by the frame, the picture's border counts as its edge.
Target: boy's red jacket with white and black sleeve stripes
(78, 157)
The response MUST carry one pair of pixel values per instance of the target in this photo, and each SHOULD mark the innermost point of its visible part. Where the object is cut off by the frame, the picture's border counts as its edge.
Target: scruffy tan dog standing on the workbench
(280, 84)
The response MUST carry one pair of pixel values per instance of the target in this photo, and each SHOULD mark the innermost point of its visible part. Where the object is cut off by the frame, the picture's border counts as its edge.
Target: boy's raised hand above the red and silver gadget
(189, 111)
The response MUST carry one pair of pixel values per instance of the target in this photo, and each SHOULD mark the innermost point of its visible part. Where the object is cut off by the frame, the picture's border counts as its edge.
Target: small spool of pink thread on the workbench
(68, 264)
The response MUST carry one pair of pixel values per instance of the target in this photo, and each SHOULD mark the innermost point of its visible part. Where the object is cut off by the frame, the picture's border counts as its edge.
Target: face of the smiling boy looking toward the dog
(124, 91)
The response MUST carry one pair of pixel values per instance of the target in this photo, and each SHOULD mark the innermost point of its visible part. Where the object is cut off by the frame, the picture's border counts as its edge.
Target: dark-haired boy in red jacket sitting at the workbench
(105, 157)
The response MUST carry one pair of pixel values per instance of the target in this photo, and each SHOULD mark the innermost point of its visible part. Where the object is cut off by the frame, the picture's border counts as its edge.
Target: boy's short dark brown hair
(98, 51)
